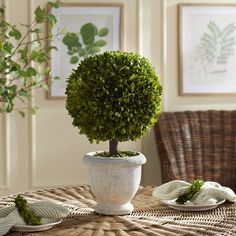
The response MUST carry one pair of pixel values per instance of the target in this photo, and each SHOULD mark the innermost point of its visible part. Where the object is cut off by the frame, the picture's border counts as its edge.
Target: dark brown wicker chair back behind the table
(198, 144)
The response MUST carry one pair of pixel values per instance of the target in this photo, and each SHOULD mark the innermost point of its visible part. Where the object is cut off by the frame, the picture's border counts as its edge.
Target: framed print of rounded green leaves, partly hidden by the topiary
(88, 29)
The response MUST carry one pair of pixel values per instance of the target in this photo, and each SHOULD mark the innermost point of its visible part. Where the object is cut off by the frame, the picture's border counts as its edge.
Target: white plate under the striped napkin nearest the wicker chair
(186, 207)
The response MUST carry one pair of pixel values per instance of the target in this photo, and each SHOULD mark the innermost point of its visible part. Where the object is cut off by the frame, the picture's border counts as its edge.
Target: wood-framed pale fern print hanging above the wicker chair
(207, 49)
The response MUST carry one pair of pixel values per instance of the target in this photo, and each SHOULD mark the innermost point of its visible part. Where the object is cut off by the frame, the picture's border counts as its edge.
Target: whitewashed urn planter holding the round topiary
(114, 182)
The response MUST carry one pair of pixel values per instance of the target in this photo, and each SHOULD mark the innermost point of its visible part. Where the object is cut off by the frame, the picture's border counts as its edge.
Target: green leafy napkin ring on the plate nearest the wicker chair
(192, 190)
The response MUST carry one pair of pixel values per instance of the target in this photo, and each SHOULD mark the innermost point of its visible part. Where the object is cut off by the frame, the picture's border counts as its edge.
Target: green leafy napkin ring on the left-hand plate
(29, 217)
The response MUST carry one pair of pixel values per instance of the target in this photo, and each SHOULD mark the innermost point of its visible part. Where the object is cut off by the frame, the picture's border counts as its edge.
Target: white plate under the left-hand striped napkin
(46, 224)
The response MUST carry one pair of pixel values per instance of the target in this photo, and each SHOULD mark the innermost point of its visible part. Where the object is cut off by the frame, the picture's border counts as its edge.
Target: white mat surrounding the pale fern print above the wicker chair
(193, 24)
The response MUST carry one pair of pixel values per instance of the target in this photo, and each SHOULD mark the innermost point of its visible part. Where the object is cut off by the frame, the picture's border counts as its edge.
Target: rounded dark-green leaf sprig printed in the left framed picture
(85, 43)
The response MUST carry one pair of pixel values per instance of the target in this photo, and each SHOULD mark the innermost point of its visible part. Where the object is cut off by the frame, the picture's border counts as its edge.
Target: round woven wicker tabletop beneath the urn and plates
(150, 216)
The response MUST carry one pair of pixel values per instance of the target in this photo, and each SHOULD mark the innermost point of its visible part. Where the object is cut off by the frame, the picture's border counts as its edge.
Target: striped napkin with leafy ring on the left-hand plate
(9, 215)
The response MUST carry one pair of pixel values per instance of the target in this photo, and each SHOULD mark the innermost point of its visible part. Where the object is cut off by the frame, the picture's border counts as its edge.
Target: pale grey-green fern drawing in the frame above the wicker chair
(215, 47)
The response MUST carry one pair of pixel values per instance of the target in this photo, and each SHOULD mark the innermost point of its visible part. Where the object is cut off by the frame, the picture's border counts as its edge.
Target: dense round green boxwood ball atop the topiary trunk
(114, 96)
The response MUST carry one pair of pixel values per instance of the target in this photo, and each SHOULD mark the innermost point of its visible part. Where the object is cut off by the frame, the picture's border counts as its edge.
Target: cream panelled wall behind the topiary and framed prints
(45, 150)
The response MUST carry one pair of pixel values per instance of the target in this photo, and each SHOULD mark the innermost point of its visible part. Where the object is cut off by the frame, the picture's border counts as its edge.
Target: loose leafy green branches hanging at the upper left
(17, 54)
